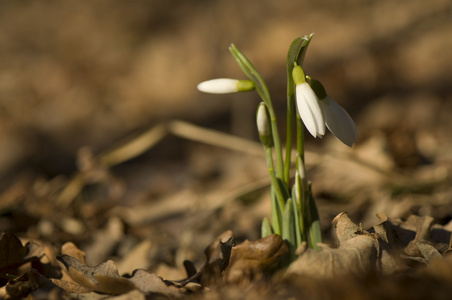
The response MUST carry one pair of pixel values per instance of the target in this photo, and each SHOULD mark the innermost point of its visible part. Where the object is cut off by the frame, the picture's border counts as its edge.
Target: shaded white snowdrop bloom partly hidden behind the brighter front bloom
(337, 119)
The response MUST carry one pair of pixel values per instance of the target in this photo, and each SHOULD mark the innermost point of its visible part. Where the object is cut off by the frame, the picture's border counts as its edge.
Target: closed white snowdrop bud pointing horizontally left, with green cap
(225, 86)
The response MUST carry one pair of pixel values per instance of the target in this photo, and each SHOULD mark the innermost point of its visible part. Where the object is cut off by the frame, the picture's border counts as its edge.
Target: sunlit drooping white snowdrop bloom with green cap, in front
(308, 104)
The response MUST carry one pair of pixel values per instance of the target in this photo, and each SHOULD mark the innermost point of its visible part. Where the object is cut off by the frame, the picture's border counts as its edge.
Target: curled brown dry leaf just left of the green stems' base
(257, 258)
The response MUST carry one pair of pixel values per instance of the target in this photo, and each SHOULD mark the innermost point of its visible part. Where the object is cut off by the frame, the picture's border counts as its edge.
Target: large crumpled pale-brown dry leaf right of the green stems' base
(379, 249)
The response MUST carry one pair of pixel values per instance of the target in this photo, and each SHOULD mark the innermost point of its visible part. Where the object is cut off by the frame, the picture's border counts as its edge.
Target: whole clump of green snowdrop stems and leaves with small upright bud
(294, 214)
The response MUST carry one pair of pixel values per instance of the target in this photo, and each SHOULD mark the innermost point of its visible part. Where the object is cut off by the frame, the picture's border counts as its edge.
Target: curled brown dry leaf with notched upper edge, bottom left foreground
(103, 278)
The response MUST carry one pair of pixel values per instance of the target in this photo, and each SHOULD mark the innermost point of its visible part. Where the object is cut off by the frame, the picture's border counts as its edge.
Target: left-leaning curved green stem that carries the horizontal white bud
(262, 89)
